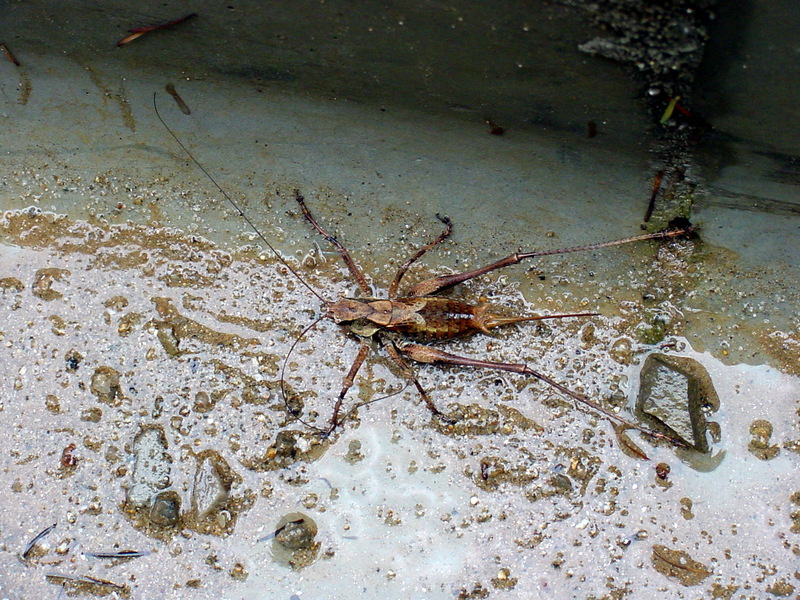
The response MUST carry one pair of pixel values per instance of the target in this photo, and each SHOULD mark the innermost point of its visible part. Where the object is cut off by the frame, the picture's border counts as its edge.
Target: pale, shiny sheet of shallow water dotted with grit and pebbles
(529, 496)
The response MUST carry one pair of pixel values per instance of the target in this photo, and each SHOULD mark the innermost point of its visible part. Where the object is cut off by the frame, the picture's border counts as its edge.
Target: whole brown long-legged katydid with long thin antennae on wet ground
(403, 324)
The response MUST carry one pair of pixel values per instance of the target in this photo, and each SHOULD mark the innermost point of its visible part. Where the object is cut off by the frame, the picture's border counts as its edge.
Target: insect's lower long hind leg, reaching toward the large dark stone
(426, 354)
